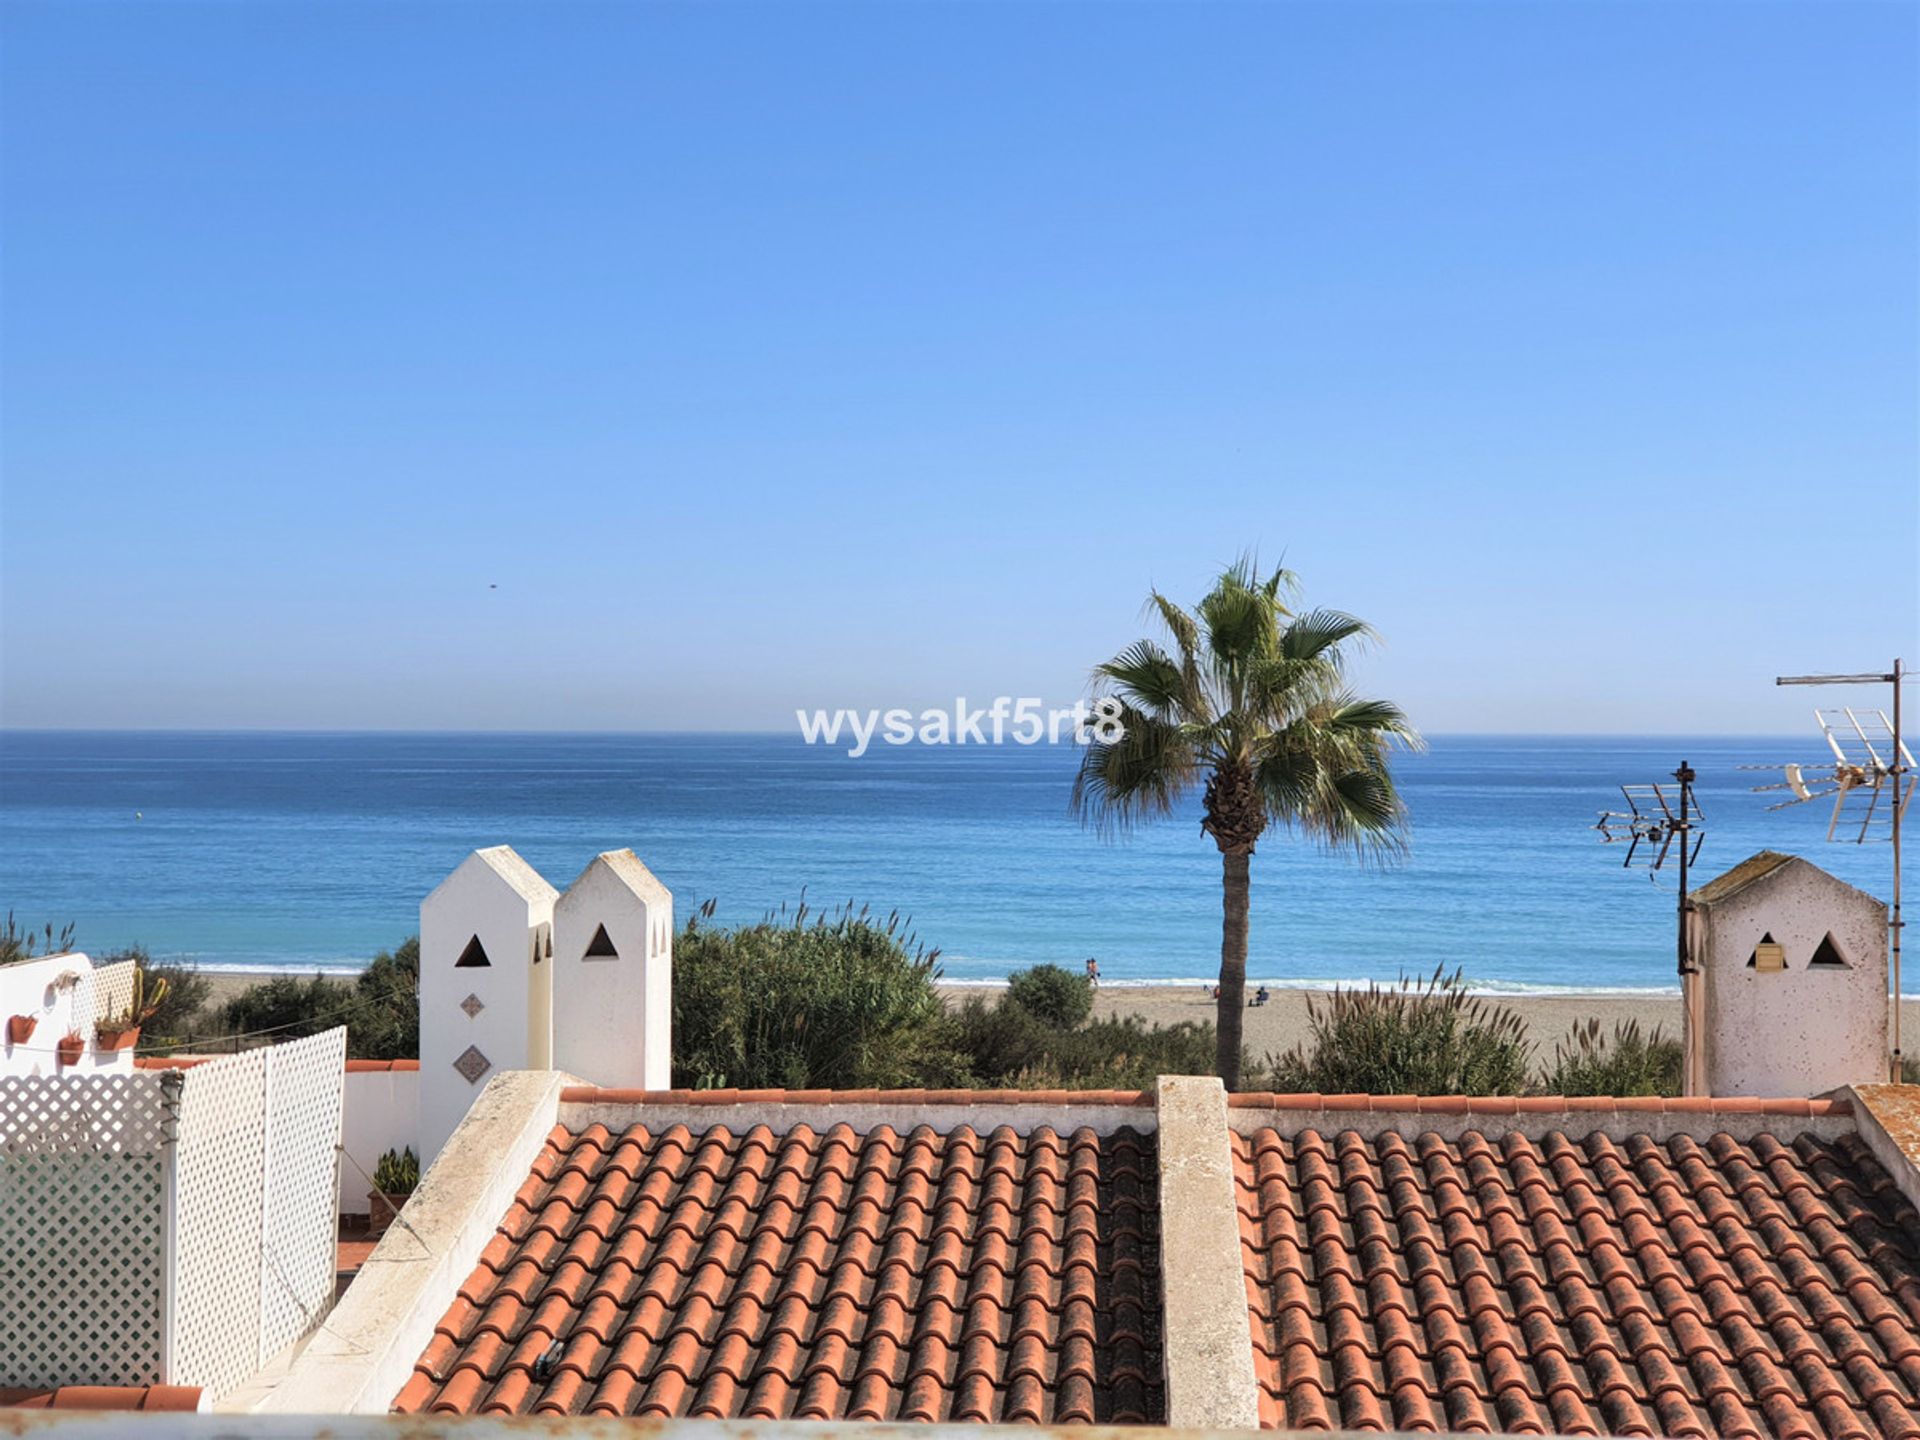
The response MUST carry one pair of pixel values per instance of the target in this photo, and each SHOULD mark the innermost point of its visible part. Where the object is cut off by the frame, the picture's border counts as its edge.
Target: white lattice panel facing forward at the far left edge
(82, 1230)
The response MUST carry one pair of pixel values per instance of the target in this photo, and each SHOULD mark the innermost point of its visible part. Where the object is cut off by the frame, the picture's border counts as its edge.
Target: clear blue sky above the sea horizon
(775, 358)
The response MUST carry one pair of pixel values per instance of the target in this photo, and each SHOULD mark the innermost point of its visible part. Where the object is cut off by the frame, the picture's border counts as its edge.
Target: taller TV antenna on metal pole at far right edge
(1871, 780)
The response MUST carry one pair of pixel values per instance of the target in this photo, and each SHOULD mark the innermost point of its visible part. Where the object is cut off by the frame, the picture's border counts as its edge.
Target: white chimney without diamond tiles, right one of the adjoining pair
(613, 976)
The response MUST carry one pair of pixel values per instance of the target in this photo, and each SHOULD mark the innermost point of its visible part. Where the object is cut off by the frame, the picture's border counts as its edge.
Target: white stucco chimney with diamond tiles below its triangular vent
(487, 938)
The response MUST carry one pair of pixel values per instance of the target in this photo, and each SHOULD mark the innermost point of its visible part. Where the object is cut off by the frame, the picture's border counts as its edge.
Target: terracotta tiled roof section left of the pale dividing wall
(923, 1276)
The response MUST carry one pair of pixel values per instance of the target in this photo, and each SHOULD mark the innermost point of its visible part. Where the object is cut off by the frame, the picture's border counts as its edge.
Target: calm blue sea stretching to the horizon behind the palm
(272, 852)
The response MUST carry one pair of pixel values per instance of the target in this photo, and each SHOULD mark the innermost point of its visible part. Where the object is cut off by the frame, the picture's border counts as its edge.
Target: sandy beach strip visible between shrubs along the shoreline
(1284, 1020)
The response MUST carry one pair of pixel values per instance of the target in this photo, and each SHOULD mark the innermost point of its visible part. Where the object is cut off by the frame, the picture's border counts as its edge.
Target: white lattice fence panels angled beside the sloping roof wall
(256, 1207)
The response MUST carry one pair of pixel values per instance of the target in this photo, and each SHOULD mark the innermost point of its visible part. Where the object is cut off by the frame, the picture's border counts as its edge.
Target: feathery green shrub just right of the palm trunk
(1414, 1038)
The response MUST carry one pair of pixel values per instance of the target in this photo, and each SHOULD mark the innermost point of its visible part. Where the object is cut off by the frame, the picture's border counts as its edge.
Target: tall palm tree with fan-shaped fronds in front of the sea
(1253, 700)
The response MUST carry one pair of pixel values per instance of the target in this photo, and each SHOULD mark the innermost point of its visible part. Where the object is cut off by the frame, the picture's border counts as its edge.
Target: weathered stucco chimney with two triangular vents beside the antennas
(1812, 1026)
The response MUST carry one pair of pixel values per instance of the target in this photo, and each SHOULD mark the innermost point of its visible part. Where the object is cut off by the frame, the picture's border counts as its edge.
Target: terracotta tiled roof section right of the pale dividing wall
(1581, 1287)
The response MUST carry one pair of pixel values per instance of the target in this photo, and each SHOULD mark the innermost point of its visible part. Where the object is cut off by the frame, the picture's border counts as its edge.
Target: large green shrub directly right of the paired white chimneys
(840, 1001)
